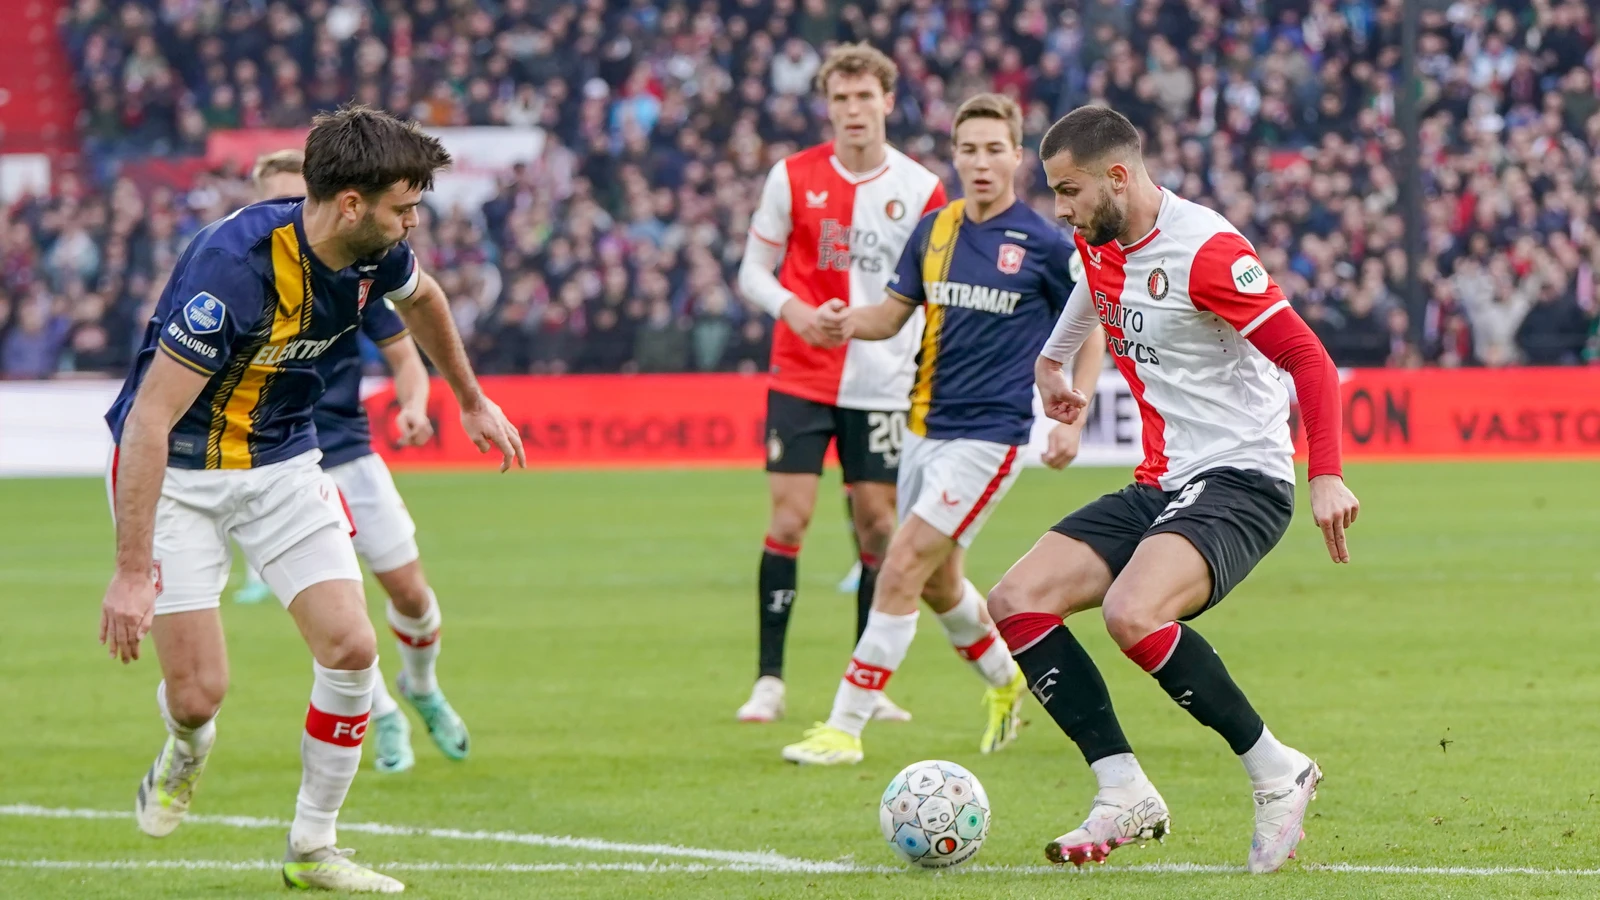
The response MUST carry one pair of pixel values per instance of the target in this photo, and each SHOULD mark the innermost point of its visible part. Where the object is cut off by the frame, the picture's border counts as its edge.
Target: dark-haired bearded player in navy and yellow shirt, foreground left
(215, 443)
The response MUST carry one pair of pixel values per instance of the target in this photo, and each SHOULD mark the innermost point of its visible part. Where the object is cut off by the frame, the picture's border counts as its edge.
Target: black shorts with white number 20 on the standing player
(799, 433)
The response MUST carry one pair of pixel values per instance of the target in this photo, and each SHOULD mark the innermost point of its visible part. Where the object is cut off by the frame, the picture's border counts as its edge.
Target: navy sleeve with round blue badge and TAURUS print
(217, 297)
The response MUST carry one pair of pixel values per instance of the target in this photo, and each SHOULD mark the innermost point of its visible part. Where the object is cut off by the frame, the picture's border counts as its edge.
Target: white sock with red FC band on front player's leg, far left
(330, 752)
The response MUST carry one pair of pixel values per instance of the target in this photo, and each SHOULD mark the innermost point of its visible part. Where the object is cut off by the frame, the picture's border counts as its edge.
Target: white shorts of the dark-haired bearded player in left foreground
(268, 512)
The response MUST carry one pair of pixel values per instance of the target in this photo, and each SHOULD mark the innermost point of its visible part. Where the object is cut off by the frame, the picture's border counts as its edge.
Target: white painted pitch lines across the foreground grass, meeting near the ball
(730, 861)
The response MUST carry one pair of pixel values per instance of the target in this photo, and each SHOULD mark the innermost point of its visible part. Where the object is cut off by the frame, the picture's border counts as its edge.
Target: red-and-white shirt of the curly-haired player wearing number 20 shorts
(842, 233)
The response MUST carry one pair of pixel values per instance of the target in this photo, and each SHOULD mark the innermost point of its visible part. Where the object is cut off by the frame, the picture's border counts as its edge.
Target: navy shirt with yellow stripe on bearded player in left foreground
(250, 307)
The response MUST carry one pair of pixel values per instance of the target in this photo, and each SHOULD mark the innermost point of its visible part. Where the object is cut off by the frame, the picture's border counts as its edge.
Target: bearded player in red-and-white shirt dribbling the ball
(1199, 331)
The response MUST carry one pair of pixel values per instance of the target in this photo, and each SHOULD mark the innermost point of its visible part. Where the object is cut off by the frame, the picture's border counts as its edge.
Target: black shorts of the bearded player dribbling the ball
(1231, 516)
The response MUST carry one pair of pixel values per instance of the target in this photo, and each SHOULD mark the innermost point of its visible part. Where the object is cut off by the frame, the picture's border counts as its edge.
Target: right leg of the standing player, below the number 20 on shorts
(870, 454)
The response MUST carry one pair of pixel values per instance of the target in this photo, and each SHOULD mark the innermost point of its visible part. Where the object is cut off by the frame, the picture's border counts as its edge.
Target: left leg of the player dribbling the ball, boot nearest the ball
(1066, 573)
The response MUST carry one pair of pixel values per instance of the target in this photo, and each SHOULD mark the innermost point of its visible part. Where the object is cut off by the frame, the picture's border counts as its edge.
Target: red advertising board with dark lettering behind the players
(718, 420)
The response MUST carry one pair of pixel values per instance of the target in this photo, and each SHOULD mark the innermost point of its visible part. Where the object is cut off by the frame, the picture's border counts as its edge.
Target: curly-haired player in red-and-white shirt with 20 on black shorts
(838, 219)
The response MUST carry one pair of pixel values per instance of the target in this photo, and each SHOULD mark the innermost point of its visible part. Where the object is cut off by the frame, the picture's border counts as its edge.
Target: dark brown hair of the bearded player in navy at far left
(359, 148)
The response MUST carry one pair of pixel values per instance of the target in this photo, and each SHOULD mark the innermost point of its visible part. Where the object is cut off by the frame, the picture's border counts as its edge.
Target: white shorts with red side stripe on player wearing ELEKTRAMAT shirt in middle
(954, 486)
